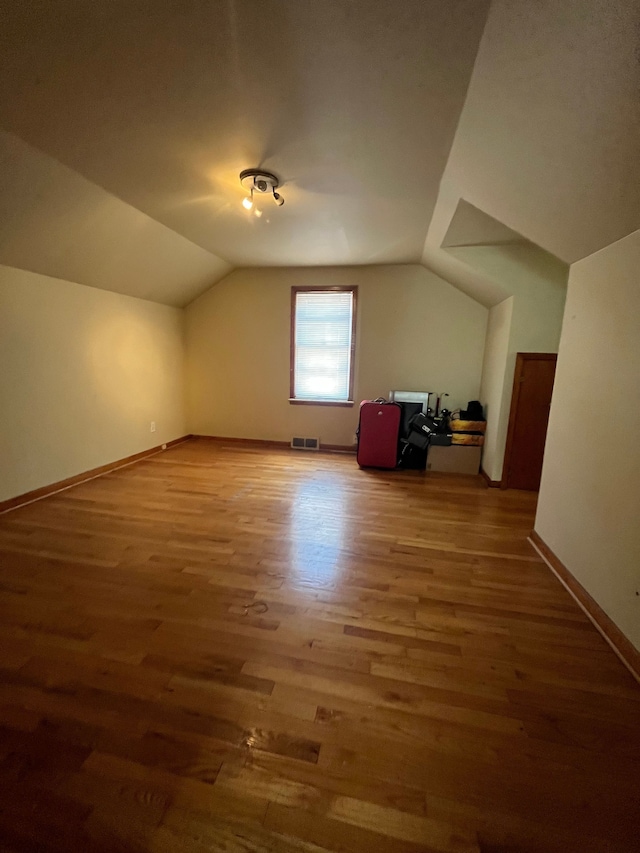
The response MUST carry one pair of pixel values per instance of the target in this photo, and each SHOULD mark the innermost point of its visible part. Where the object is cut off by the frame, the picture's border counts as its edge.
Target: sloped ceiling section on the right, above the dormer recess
(549, 137)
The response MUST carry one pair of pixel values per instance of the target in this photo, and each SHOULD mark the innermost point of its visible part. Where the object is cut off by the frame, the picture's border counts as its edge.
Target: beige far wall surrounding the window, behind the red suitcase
(415, 332)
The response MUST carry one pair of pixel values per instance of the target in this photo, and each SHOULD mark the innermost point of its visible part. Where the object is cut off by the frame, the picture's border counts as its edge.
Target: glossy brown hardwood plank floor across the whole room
(230, 649)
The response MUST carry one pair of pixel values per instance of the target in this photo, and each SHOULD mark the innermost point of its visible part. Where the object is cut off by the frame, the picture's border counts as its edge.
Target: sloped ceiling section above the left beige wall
(55, 222)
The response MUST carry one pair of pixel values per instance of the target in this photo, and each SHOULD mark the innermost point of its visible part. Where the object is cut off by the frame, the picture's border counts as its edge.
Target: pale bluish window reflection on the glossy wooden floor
(317, 530)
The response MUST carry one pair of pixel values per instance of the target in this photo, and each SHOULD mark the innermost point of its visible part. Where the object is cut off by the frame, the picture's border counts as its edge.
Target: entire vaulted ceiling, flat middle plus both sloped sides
(124, 127)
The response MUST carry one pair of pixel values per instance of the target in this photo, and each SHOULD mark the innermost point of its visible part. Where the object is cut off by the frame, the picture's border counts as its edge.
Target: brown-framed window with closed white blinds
(323, 322)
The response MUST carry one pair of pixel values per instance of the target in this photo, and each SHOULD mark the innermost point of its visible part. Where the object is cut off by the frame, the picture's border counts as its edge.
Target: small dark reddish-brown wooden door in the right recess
(530, 403)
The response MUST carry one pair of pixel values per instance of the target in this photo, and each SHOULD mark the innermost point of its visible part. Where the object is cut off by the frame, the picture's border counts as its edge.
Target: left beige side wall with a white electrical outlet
(83, 373)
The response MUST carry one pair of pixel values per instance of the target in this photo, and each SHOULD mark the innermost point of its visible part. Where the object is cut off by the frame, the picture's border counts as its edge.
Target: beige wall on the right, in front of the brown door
(589, 508)
